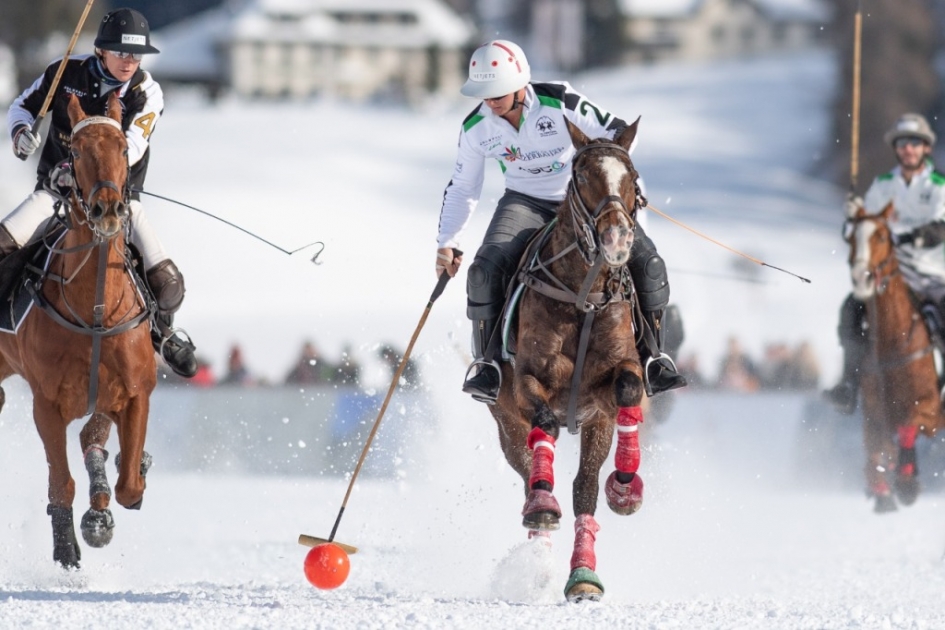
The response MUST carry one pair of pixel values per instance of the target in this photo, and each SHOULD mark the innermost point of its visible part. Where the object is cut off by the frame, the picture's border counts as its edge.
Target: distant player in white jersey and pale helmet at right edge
(917, 192)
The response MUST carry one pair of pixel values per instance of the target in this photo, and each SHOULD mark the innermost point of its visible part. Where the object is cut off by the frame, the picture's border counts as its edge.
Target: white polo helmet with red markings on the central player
(496, 68)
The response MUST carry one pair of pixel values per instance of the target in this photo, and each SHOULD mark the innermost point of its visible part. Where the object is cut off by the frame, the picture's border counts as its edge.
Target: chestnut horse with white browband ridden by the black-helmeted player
(84, 347)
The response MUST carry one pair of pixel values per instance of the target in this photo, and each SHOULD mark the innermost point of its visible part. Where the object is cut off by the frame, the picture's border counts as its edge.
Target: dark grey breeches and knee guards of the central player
(517, 218)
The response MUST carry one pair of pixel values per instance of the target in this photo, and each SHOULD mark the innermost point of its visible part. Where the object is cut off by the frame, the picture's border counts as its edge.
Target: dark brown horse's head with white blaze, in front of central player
(603, 195)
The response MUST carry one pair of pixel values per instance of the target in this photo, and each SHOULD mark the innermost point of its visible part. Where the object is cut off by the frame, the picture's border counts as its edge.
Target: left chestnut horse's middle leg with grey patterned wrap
(97, 524)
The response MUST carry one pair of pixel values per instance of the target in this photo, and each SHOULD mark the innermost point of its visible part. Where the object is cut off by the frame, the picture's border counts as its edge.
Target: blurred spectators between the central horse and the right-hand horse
(781, 367)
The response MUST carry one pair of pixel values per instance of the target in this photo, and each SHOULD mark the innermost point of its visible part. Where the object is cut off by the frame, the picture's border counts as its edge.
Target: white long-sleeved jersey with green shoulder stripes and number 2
(535, 158)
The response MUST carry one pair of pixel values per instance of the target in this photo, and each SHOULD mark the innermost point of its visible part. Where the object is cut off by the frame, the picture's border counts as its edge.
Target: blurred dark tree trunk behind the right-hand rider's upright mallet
(899, 42)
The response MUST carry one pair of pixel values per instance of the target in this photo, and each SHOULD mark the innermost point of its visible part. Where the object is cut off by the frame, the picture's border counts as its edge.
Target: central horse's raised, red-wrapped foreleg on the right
(624, 486)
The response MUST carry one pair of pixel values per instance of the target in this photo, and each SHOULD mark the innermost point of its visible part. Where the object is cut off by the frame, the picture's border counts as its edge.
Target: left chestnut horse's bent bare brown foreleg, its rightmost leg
(133, 461)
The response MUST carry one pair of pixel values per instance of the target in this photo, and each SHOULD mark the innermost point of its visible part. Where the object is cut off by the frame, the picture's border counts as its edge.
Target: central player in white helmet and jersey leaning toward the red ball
(522, 125)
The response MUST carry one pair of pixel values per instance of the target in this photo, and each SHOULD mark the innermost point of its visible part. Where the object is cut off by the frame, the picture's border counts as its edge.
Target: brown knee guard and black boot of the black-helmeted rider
(167, 285)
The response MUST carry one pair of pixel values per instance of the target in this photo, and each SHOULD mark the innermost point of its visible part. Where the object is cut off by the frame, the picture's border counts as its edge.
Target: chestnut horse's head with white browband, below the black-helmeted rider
(99, 156)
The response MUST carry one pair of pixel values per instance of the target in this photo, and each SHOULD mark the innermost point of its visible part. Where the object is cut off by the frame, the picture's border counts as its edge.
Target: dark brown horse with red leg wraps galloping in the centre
(577, 363)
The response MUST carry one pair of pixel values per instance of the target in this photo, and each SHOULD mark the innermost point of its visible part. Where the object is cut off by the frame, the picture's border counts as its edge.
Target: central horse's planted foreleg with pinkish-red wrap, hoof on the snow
(583, 582)
